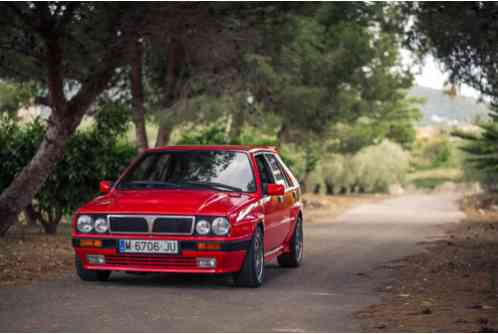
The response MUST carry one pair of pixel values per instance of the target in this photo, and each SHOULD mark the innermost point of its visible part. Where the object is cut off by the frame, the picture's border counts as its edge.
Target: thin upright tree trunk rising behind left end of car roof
(137, 93)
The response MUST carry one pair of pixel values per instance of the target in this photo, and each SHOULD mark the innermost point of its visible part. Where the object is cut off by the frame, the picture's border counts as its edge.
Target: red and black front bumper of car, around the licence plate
(229, 257)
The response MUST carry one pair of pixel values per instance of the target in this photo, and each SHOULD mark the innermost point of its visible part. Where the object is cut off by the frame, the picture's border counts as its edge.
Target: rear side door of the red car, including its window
(284, 203)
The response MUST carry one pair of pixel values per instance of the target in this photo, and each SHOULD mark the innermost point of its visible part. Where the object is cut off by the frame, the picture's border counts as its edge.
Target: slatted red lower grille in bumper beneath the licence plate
(152, 261)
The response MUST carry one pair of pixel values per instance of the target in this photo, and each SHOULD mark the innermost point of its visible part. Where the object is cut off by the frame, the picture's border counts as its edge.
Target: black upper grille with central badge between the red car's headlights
(152, 224)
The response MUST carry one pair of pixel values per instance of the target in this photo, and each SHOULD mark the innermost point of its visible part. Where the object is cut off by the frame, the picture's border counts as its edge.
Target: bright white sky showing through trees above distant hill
(431, 74)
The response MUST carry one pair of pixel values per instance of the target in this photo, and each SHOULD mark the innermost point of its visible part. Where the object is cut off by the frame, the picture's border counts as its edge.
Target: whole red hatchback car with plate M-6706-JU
(193, 209)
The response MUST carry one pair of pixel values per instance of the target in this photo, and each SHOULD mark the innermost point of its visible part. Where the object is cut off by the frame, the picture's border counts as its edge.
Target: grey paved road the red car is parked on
(319, 296)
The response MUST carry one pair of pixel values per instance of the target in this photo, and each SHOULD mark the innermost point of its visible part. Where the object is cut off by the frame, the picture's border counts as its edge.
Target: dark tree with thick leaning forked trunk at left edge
(73, 50)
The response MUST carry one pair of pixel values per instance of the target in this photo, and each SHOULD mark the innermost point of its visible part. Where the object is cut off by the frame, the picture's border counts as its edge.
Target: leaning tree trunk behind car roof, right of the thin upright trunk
(175, 59)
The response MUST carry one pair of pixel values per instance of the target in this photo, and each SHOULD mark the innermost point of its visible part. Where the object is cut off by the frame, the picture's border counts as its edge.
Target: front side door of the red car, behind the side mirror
(271, 204)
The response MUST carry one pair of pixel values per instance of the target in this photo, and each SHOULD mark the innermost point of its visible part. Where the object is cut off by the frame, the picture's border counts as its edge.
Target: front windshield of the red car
(218, 170)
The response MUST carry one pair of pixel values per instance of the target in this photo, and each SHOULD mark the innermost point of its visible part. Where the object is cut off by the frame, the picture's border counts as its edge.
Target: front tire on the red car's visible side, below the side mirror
(253, 270)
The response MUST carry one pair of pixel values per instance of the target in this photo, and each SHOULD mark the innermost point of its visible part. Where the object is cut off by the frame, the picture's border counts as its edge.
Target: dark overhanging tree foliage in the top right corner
(463, 37)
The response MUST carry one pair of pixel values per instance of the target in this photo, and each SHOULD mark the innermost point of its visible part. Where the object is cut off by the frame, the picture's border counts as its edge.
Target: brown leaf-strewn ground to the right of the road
(450, 288)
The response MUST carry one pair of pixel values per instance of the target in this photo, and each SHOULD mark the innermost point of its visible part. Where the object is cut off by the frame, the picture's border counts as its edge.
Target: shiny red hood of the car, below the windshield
(179, 202)
